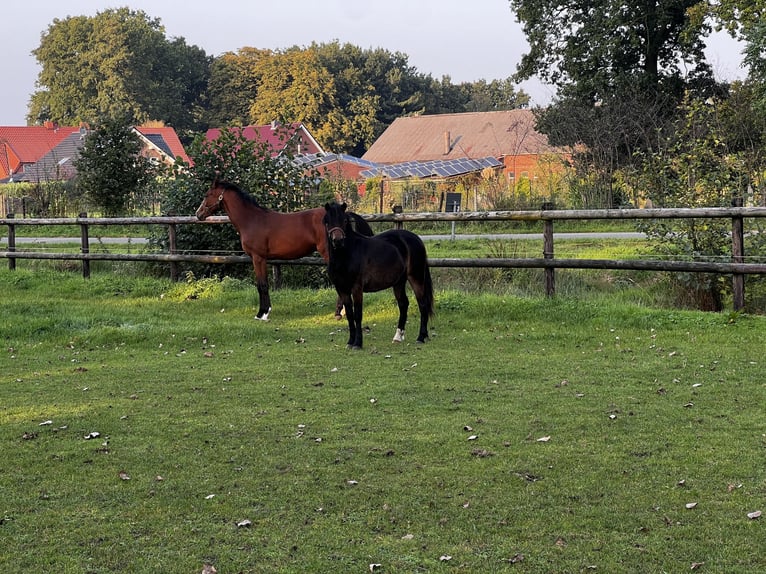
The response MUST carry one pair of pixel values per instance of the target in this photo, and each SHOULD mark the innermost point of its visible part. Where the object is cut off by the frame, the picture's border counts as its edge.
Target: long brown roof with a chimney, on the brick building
(452, 136)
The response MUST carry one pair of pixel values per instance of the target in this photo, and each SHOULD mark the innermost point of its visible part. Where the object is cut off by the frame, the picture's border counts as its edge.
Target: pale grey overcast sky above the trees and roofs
(465, 39)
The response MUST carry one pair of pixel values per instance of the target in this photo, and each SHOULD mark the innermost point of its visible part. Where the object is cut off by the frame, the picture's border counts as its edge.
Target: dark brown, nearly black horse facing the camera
(360, 264)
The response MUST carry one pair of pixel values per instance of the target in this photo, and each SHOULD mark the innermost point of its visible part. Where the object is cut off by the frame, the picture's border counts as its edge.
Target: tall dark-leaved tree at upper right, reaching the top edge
(621, 71)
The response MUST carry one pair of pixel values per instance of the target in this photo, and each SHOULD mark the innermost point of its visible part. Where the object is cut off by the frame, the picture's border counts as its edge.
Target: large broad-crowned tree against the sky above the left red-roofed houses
(118, 65)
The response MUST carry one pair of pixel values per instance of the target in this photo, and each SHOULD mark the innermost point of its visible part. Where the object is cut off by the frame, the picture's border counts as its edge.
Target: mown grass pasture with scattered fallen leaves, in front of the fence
(528, 435)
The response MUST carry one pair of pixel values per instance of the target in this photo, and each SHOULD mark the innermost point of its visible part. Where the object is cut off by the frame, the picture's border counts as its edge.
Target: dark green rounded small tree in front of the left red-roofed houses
(110, 171)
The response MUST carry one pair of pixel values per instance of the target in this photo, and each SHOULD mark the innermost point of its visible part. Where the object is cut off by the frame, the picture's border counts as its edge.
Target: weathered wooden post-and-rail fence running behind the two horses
(736, 266)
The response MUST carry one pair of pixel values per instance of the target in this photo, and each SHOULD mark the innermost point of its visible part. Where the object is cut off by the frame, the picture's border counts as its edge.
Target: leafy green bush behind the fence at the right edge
(712, 159)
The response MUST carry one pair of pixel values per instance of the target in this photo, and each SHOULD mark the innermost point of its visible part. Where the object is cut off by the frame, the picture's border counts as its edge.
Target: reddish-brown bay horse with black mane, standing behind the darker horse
(267, 234)
